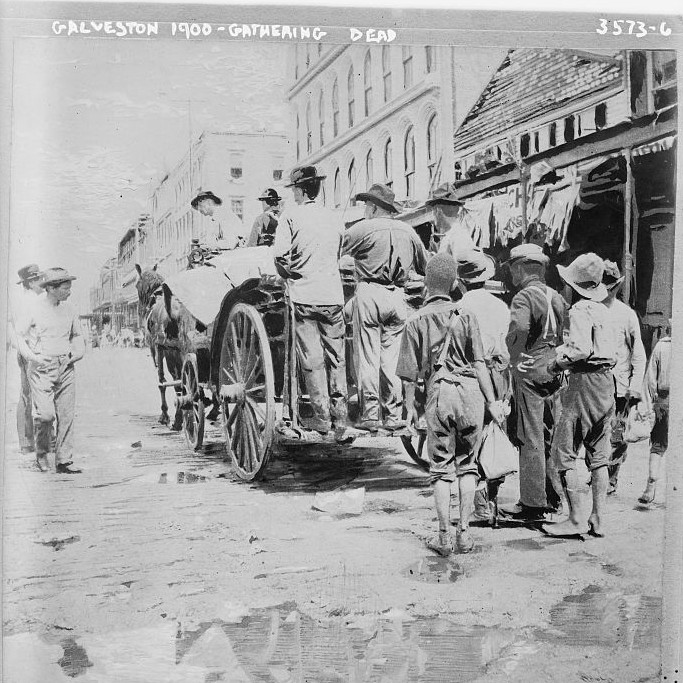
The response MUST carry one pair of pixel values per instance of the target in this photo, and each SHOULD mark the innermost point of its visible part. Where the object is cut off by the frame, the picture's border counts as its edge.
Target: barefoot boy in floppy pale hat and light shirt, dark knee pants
(589, 355)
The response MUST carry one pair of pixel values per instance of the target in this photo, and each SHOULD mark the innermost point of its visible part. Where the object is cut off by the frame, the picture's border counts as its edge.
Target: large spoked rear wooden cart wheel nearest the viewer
(247, 391)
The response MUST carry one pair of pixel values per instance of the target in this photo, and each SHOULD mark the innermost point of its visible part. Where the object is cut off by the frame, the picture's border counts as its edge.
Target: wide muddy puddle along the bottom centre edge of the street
(282, 644)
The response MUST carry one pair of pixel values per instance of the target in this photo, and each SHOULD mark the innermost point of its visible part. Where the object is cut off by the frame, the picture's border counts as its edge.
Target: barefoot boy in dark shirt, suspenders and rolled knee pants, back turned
(444, 348)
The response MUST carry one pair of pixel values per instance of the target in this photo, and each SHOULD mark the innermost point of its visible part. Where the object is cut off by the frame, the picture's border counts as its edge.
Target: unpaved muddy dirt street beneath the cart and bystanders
(156, 564)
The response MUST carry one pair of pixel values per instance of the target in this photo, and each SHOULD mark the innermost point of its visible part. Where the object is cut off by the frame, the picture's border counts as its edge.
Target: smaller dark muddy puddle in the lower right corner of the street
(597, 616)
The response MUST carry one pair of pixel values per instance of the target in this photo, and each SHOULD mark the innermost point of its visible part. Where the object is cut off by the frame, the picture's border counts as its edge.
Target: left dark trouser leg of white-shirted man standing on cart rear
(311, 361)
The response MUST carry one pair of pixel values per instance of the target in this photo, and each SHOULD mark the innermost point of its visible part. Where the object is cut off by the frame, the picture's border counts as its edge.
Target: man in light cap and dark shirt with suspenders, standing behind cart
(536, 321)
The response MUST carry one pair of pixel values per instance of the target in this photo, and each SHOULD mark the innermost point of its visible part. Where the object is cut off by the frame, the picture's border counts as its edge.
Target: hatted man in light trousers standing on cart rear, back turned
(386, 251)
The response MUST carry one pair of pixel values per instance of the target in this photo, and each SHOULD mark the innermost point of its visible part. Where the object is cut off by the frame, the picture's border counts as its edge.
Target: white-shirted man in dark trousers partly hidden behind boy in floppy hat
(629, 370)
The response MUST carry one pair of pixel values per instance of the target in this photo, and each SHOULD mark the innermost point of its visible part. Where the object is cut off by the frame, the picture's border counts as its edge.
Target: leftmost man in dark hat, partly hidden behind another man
(31, 290)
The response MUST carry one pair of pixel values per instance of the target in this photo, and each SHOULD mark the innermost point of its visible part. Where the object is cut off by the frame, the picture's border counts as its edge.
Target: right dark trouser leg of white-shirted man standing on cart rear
(332, 329)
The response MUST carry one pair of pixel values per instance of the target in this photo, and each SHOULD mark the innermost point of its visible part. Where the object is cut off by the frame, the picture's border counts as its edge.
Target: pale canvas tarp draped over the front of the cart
(201, 290)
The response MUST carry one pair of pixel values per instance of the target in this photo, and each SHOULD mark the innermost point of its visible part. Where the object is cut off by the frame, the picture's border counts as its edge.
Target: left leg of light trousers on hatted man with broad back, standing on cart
(367, 346)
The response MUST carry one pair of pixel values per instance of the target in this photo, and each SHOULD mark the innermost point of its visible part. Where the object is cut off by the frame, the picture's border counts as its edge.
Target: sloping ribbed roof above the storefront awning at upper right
(534, 82)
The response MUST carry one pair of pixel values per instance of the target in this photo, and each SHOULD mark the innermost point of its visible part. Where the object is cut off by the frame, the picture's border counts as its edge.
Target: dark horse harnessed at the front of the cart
(161, 333)
